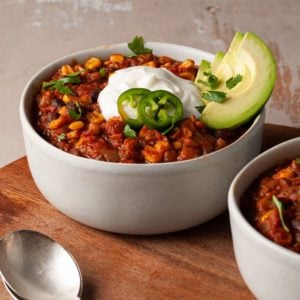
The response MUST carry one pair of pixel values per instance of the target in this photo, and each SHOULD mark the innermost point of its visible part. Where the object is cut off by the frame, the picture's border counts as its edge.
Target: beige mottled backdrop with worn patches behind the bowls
(35, 32)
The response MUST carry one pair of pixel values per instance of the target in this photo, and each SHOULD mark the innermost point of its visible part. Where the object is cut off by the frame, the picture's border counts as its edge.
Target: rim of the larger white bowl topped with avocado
(88, 162)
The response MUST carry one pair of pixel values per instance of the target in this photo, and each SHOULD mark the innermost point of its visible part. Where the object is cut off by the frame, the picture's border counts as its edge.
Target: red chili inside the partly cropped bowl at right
(272, 204)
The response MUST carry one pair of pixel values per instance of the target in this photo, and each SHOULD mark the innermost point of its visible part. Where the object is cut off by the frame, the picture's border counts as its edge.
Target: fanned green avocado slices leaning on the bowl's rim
(250, 57)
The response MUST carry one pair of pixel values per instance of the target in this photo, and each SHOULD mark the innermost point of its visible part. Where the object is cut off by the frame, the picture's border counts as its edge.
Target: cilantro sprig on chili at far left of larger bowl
(59, 84)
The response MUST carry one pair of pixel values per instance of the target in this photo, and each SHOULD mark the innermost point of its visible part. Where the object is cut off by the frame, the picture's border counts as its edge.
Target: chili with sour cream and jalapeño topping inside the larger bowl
(74, 111)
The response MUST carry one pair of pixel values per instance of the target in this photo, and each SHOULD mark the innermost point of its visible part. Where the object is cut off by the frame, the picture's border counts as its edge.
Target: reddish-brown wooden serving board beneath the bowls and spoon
(193, 264)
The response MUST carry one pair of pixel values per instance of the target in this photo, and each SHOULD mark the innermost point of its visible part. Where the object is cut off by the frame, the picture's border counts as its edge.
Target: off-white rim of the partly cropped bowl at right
(238, 217)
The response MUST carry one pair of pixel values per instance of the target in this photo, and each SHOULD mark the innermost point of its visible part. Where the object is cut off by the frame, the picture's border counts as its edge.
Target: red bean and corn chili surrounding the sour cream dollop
(87, 134)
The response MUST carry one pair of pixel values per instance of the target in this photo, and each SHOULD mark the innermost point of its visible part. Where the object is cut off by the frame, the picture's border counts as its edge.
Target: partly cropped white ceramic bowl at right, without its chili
(270, 271)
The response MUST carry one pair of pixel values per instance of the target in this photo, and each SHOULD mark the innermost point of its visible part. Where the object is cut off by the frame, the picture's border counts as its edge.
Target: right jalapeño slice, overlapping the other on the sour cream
(160, 110)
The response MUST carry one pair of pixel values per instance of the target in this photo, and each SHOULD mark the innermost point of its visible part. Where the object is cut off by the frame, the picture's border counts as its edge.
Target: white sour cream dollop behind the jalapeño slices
(152, 79)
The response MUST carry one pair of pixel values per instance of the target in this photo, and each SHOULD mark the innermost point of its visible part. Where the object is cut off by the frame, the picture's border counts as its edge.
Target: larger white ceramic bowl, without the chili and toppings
(134, 198)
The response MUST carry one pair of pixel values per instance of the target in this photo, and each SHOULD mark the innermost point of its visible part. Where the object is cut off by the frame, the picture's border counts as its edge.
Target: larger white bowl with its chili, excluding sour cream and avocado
(162, 179)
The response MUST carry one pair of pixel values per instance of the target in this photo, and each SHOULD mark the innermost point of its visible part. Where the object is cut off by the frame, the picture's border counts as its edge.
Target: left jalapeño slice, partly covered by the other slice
(127, 106)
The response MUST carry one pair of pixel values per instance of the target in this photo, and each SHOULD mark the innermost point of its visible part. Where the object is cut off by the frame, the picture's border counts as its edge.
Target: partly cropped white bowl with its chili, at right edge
(263, 203)
